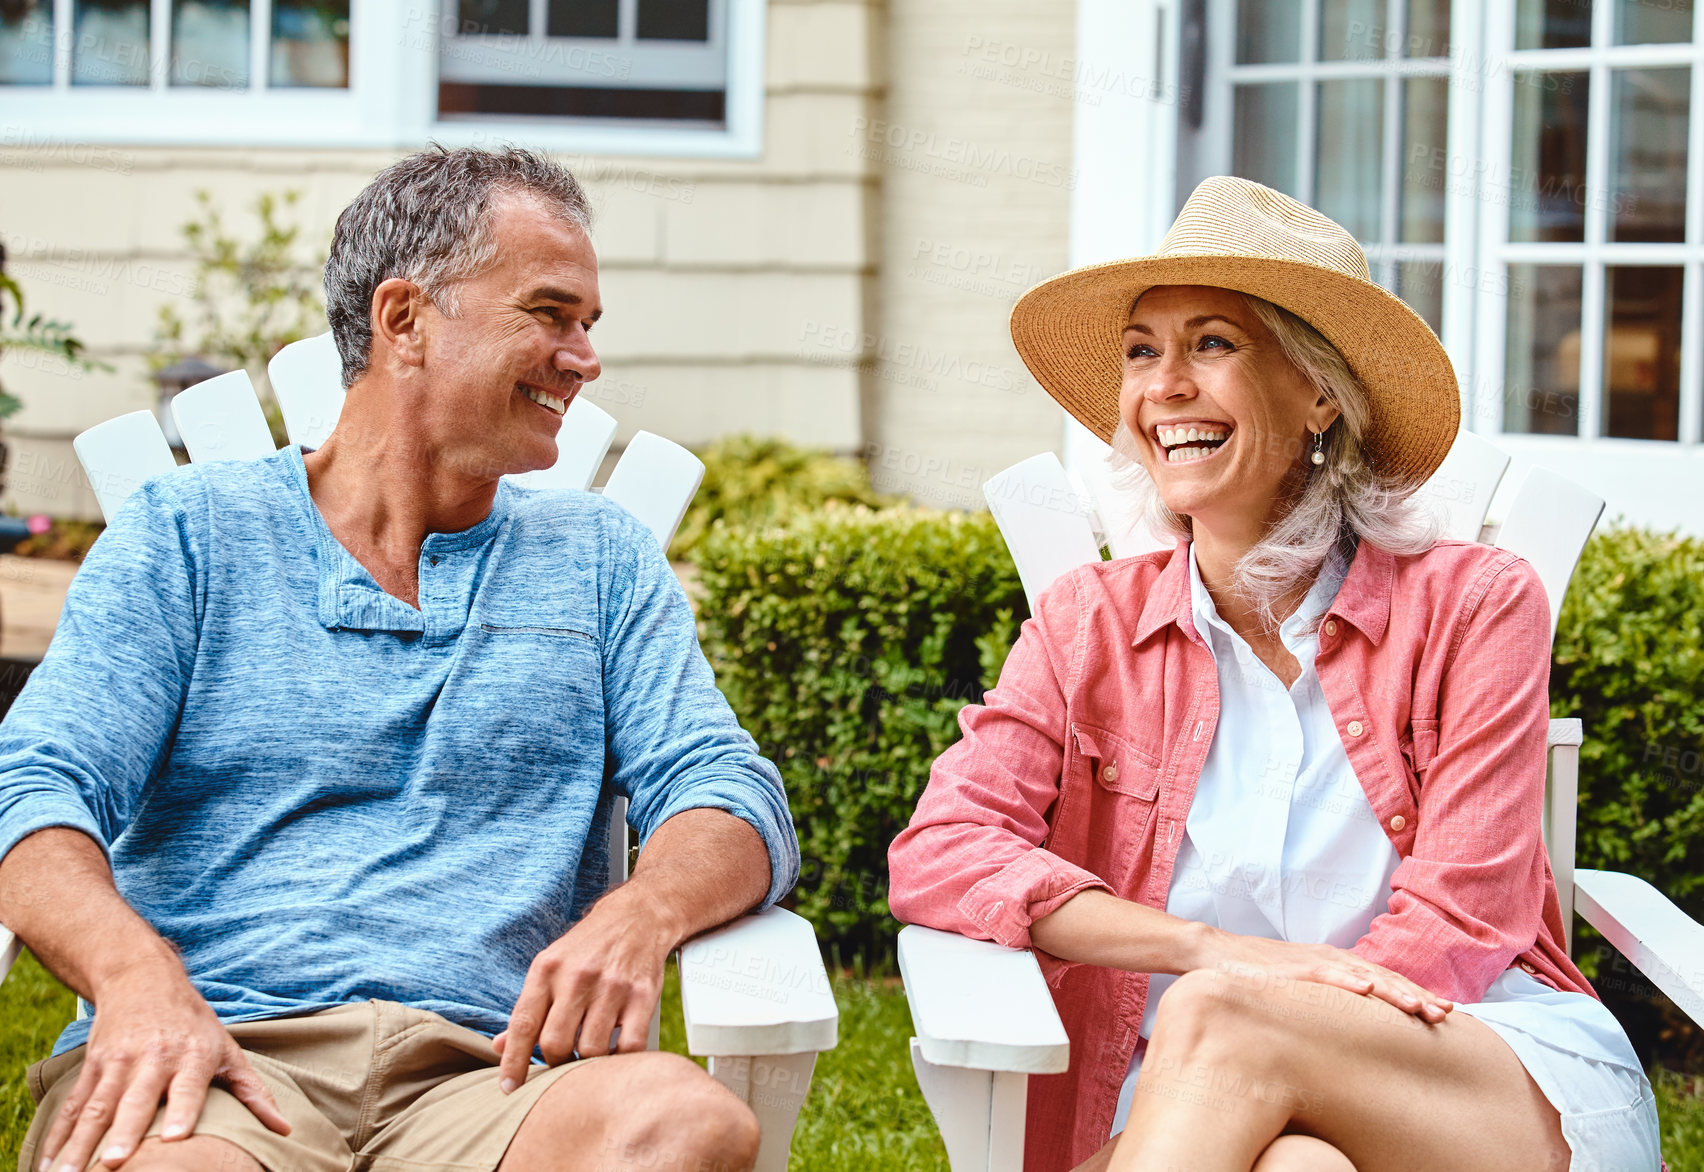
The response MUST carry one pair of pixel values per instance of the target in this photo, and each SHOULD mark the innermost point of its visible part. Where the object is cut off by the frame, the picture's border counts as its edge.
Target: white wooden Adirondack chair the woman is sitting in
(982, 1013)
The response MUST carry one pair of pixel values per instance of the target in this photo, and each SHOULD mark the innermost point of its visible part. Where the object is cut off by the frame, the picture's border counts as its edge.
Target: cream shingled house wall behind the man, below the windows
(720, 277)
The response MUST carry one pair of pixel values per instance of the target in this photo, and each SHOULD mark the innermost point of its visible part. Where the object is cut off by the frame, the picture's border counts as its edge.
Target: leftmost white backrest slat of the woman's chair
(1044, 520)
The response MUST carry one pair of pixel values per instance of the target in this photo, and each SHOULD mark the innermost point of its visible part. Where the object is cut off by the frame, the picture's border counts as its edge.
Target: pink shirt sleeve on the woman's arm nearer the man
(972, 858)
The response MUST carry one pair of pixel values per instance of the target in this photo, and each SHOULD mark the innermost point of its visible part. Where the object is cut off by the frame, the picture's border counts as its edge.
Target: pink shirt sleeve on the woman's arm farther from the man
(1468, 900)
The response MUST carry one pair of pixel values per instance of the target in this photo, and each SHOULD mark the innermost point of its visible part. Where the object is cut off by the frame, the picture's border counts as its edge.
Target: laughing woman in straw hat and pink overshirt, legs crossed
(1269, 805)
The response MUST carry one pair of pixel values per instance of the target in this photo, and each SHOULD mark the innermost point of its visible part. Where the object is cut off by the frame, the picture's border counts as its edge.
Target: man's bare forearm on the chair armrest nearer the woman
(698, 871)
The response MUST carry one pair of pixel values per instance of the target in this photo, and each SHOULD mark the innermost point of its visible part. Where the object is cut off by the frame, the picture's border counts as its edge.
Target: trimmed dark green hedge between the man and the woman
(848, 641)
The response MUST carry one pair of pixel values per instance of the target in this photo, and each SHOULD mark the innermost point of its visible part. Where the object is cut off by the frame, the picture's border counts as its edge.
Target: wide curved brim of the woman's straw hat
(1069, 331)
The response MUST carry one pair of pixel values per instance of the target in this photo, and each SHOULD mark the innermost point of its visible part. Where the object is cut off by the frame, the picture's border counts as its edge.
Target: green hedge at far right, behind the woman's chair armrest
(1630, 664)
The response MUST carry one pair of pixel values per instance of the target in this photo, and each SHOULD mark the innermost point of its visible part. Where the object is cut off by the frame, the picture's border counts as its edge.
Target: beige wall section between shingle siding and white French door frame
(976, 173)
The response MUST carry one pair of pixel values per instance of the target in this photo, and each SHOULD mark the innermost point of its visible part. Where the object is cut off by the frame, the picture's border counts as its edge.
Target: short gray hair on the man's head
(427, 219)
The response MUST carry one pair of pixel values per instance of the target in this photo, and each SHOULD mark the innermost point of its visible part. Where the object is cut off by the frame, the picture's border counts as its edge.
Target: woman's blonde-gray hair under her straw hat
(1340, 503)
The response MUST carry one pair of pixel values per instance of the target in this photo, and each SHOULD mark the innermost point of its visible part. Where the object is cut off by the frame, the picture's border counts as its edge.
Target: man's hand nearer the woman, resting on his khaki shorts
(606, 972)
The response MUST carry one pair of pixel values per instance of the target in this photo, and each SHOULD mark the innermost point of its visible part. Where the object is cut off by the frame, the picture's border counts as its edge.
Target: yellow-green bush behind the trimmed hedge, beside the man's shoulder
(759, 481)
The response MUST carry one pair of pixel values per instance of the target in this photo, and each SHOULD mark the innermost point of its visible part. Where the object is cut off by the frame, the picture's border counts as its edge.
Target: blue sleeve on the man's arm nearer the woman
(672, 740)
